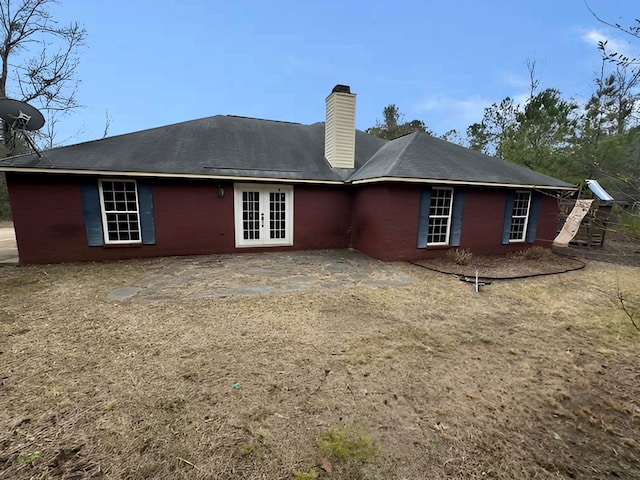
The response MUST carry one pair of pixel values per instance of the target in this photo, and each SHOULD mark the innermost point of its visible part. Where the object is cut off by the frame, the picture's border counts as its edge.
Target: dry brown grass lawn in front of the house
(531, 379)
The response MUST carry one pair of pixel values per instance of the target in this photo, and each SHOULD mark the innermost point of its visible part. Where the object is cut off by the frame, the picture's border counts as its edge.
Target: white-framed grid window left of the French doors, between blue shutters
(120, 211)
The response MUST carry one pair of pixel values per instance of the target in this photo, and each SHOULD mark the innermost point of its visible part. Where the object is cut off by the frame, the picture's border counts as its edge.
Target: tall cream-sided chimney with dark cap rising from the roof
(340, 128)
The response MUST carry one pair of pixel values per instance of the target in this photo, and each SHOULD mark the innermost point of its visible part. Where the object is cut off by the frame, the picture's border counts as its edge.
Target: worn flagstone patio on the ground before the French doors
(211, 276)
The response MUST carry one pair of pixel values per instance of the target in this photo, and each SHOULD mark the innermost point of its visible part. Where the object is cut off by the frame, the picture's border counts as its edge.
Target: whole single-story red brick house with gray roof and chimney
(228, 184)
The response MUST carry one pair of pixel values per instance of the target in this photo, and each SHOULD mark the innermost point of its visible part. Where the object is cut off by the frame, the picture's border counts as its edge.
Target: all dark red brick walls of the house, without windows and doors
(380, 220)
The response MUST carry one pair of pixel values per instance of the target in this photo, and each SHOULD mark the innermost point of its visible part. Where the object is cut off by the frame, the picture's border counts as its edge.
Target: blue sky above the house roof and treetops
(153, 63)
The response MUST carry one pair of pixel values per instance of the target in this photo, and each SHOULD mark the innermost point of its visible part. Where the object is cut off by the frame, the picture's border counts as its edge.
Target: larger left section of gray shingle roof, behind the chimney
(220, 146)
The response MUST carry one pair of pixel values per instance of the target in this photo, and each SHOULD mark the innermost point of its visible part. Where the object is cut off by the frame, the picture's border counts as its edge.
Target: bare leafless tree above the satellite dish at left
(39, 57)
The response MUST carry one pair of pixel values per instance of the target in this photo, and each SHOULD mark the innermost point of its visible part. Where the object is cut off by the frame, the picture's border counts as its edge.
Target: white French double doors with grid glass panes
(263, 215)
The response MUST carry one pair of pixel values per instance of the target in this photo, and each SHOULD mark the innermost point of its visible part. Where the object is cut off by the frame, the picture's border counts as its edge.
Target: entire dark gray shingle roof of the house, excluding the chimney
(240, 147)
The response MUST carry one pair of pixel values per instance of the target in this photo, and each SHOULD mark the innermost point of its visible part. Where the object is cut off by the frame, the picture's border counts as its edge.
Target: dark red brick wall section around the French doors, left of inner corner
(189, 217)
